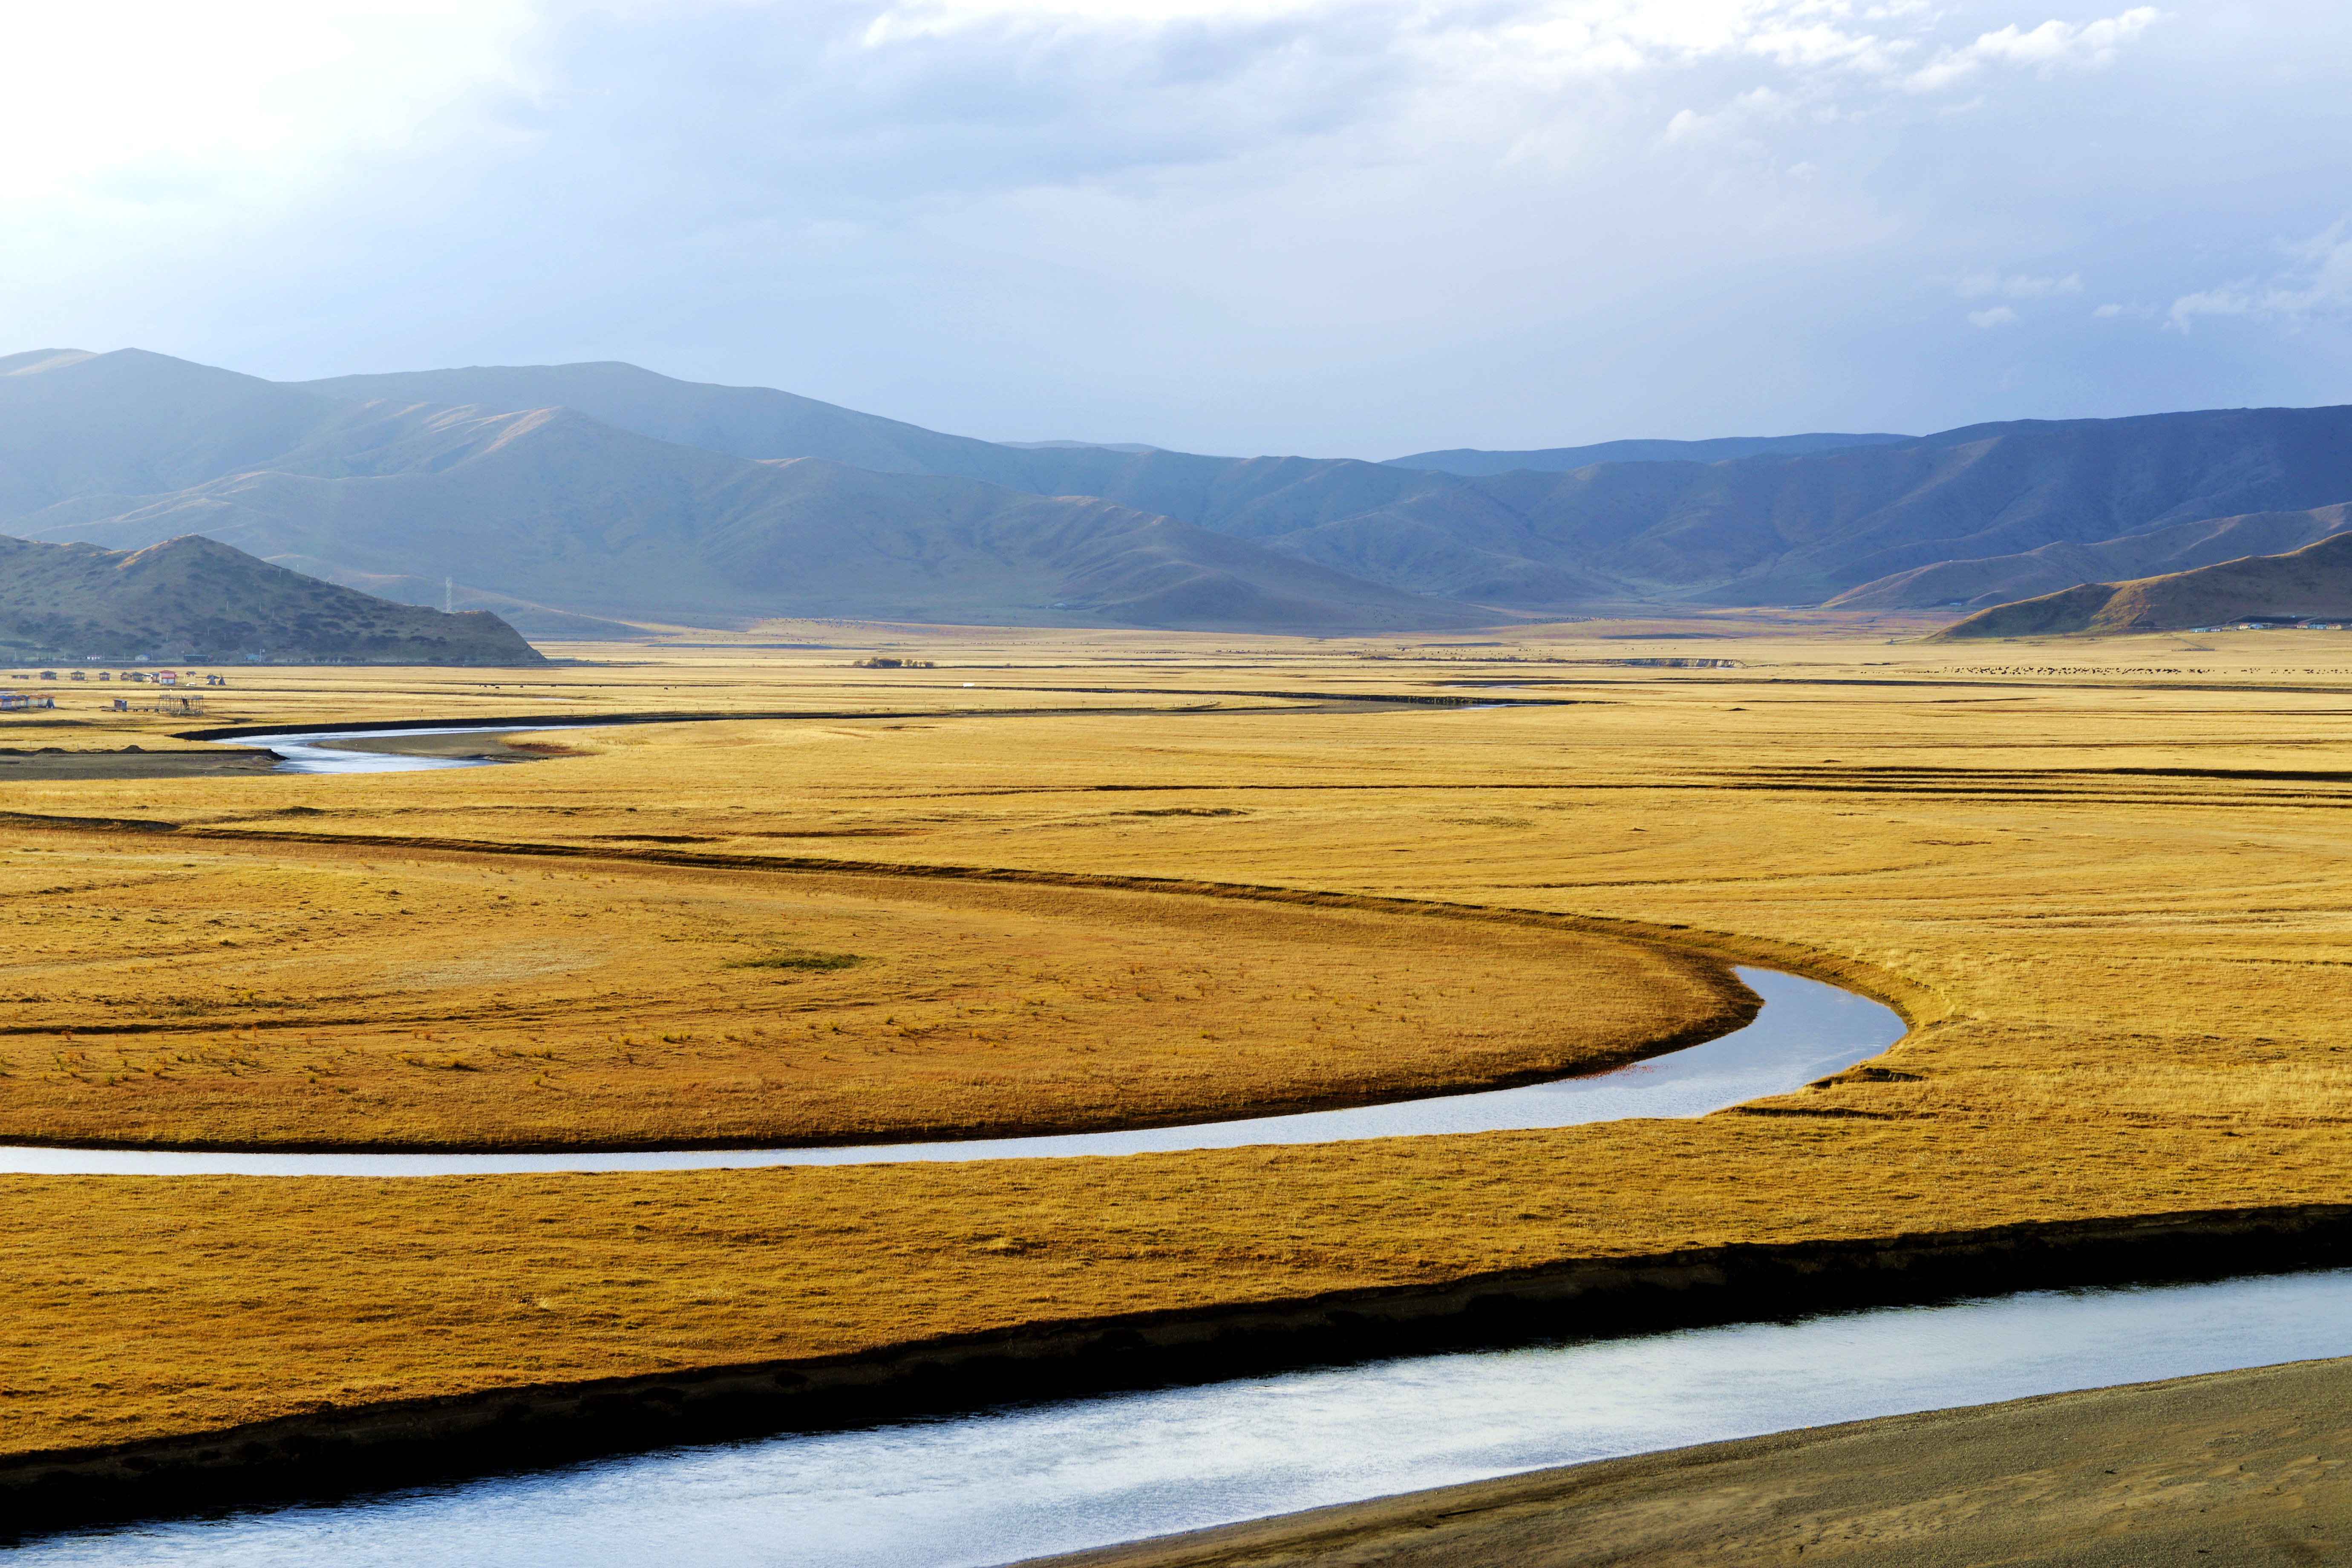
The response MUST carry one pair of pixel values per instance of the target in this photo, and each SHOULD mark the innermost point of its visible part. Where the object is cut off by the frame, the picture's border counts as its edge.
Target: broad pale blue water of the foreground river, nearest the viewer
(1055, 1477)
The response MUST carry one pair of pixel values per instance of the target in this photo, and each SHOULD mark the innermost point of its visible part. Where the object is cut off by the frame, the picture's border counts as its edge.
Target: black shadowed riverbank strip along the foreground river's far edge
(387, 1445)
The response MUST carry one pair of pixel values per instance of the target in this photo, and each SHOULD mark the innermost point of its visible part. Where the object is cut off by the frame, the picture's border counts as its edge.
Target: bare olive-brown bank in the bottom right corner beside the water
(2245, 1468)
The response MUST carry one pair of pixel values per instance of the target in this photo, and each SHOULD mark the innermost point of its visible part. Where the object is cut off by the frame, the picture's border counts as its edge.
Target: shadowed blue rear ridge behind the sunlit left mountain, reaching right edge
(1753, 530)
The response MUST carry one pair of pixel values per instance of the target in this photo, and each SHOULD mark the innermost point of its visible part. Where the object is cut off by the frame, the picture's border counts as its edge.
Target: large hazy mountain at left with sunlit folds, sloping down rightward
(561, 511)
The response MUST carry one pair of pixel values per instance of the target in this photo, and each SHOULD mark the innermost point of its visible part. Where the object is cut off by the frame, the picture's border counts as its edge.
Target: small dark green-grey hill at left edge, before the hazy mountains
(201, 601)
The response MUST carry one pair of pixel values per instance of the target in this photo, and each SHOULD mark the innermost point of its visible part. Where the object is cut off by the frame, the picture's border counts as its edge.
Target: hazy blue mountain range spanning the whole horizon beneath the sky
(606, 492)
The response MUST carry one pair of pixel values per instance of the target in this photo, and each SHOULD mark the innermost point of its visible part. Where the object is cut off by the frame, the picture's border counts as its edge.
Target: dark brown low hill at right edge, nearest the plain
(2308, 582)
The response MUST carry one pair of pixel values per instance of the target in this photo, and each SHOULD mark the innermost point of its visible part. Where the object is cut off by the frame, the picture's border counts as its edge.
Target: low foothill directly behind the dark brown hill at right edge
(2156, 554)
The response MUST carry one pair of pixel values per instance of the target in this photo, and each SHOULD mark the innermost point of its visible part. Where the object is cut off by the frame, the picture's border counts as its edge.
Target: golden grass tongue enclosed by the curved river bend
(340, 998)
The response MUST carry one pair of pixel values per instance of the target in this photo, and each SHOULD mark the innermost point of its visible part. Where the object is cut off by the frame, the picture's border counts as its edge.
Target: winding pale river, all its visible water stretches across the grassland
(1027, 1480)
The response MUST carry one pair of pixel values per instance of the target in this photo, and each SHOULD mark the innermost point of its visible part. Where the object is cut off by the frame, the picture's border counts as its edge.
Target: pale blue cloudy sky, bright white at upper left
(1241, 227)
